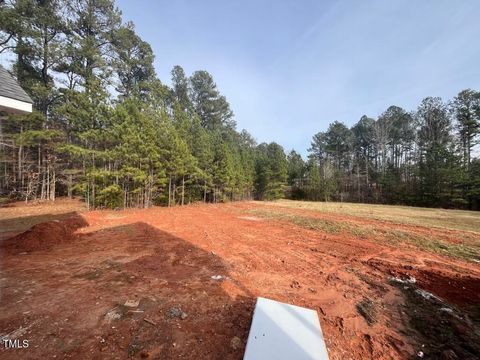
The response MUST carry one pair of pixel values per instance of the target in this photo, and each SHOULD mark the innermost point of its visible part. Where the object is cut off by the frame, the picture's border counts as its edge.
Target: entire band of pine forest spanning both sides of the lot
(107, 129)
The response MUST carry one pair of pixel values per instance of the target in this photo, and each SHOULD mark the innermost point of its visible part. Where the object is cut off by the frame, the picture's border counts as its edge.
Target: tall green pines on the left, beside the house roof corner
(107, 129)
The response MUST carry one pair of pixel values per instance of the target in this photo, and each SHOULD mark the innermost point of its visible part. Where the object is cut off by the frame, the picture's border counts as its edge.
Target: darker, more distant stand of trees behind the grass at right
(424, 157)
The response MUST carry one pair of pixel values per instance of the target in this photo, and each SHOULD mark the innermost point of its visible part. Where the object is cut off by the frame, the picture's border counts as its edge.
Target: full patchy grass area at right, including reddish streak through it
(452, 233)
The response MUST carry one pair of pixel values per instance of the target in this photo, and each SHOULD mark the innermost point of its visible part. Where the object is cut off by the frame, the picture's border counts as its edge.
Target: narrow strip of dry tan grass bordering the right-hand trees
(439, 218)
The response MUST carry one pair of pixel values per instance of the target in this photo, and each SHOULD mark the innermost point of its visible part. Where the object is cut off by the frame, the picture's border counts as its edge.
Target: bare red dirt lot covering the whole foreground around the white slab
(383, 289)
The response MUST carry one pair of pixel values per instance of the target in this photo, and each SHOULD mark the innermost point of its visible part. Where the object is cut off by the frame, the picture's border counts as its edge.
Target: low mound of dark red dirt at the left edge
(44, 236)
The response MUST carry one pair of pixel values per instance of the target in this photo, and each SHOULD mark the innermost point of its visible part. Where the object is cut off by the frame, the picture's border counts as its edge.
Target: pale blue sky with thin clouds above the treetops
(289, 68)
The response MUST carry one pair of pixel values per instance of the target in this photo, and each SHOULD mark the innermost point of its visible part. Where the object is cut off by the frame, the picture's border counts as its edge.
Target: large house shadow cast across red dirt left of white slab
(70, 298)
